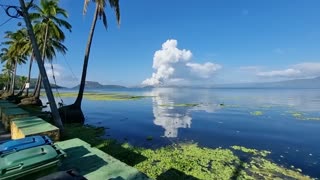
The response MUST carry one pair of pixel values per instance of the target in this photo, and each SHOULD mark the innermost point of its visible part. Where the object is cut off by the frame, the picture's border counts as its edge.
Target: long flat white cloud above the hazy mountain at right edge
(302, 70)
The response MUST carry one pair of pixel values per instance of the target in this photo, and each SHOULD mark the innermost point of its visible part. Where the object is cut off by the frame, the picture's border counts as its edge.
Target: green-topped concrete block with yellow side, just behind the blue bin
(28, 126)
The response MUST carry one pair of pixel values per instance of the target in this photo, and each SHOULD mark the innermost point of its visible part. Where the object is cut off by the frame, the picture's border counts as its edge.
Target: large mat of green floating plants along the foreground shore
(188, 161)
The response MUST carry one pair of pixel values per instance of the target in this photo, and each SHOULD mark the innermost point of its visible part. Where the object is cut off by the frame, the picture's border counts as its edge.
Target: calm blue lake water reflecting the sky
(292, 141)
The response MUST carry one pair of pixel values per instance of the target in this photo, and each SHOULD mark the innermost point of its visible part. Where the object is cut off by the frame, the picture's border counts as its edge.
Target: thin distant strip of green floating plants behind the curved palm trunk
(103, 96)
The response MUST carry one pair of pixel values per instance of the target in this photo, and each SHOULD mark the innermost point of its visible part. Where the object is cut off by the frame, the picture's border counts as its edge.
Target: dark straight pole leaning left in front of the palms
(53, 106)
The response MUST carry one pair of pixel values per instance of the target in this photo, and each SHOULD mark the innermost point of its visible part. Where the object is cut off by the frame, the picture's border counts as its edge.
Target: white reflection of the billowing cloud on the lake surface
(172, 117)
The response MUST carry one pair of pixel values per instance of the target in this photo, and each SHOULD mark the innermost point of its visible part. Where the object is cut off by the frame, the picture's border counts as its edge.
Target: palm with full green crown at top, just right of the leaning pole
(49, 40)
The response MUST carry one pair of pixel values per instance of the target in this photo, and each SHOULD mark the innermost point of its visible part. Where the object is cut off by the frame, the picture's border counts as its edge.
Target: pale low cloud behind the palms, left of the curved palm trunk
(63, 77)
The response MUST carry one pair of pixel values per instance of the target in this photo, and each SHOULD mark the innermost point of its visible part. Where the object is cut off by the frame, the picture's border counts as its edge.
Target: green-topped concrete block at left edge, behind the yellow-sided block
(10, 113)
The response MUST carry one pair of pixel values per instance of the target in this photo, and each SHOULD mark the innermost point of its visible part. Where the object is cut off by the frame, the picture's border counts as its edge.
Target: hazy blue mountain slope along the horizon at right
(295, 83)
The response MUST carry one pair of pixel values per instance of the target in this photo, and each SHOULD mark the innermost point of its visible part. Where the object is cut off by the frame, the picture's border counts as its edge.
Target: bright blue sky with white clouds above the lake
(203, 42)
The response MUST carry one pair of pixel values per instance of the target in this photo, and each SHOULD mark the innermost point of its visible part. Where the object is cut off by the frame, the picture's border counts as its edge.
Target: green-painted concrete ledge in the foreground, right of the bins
(93, 163)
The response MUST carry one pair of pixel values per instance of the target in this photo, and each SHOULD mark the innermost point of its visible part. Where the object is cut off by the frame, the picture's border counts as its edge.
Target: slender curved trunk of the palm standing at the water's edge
(86, 59)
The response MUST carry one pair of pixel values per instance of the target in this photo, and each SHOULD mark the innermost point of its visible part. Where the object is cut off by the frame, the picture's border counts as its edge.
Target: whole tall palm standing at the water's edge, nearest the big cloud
(74, 112)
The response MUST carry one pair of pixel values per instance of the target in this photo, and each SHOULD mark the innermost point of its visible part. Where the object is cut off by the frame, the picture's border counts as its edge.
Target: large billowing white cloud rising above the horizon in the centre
(172, 65)
